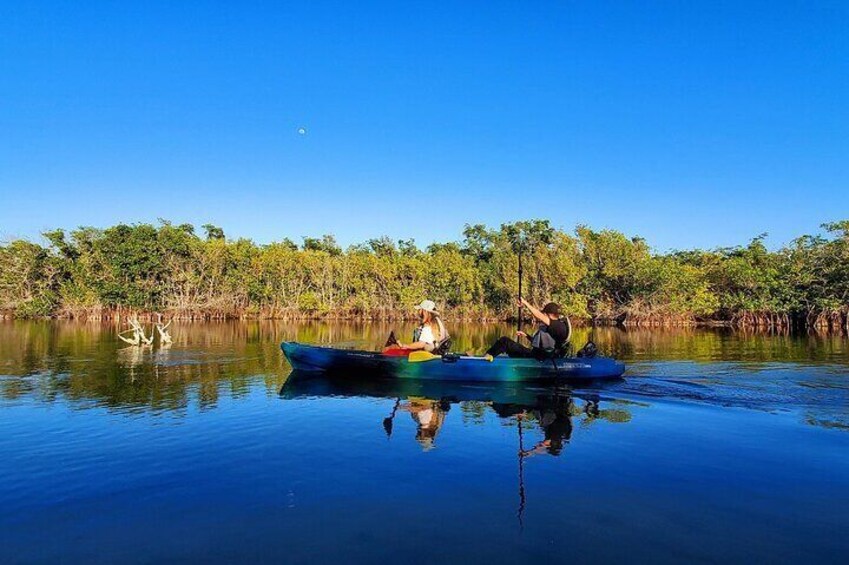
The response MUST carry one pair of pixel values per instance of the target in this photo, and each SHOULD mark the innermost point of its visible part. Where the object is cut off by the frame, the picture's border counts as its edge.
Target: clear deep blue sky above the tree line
(689, 123)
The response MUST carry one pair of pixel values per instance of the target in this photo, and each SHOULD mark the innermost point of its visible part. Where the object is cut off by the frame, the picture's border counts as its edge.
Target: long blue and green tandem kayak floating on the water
(328, 360)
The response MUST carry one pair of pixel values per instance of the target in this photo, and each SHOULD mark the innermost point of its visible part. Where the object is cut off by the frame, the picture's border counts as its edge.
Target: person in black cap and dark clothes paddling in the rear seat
(553, 333)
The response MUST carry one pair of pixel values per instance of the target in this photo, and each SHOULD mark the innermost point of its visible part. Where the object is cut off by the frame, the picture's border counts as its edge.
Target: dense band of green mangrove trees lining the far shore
(598, 275)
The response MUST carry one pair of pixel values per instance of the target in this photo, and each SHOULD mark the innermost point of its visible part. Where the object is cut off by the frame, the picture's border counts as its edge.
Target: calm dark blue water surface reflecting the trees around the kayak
(717, 446)
